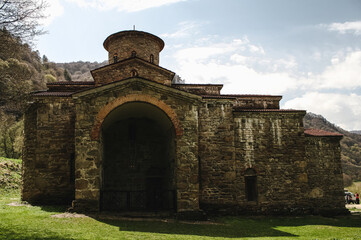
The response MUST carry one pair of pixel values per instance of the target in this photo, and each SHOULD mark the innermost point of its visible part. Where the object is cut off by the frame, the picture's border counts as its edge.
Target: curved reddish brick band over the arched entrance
(103, 113)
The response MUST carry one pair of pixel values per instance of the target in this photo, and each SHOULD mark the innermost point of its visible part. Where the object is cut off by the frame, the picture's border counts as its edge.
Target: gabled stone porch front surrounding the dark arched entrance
(89, 158)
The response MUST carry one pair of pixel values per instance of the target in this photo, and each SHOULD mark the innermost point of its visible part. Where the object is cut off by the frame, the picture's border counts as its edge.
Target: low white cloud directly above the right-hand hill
(342, 109)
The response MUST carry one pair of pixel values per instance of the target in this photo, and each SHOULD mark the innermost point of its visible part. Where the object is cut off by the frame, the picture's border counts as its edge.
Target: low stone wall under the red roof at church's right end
(325, 174)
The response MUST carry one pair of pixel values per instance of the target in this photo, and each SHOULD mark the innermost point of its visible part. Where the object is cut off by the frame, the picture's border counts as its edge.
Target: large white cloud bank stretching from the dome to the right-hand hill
(244, 69)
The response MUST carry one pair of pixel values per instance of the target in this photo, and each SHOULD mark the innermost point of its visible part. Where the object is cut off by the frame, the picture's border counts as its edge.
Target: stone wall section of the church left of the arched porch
(48, 161)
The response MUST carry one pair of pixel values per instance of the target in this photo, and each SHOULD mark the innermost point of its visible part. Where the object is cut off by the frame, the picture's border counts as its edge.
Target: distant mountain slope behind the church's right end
(350, 144)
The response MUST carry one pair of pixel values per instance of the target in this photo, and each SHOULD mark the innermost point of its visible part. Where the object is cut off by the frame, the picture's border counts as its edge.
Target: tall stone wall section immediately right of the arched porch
(217, 153)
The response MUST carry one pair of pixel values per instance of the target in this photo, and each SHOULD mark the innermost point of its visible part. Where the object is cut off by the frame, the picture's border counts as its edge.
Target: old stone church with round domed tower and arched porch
(134, 140)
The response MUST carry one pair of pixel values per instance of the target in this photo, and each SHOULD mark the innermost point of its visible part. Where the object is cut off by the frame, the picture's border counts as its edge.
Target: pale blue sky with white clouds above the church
(308, 51)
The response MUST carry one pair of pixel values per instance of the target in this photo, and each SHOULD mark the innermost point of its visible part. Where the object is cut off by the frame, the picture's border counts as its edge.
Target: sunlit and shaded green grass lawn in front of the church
(35, 222)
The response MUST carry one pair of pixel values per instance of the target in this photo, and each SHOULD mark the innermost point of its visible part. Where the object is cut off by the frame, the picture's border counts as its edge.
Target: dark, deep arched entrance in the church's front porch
(138, 159)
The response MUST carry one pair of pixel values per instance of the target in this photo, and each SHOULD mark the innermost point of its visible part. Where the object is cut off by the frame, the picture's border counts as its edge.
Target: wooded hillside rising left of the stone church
(22, 71)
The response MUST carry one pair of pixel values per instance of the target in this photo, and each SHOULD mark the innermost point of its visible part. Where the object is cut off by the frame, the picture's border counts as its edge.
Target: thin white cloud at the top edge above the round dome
(124, 5)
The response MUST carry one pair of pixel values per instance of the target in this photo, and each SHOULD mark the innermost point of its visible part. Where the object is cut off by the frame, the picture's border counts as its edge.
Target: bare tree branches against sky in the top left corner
(21, 17)
